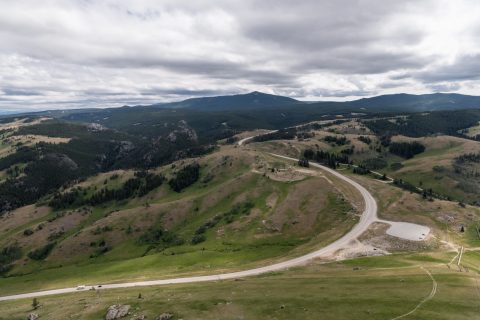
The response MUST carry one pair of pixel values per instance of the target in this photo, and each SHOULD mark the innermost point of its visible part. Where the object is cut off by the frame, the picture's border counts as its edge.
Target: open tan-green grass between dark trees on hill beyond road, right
(419, 171)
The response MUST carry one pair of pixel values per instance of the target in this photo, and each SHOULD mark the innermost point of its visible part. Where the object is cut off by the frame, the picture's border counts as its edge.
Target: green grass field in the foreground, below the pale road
(366, 288)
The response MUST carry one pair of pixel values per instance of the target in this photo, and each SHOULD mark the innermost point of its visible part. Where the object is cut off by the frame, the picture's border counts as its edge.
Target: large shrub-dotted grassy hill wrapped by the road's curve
(237, 214)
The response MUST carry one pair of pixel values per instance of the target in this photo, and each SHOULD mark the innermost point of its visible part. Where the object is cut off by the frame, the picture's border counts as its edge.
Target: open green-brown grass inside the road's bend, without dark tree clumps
(270, 232)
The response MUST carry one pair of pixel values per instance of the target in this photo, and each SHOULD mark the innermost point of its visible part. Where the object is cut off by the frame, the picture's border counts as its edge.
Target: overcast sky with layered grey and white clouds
(102, 53)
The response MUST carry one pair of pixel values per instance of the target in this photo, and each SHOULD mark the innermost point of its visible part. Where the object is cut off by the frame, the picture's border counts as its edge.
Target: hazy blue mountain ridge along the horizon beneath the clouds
(258, 101)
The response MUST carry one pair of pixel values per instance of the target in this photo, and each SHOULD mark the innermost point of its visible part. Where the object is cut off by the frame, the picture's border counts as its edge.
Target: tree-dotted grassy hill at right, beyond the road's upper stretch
(440, 167)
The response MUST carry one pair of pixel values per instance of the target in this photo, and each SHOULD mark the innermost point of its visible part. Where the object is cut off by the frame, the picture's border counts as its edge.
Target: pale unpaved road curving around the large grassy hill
(368, 216)
